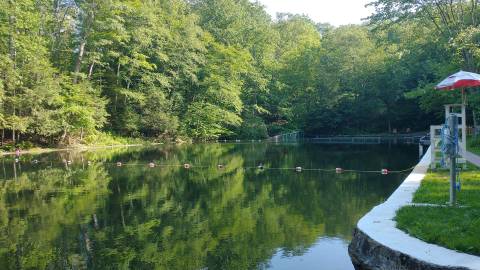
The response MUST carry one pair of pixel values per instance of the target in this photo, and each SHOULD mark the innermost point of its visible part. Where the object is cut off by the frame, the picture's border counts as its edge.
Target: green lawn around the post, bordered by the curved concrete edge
(455, 228)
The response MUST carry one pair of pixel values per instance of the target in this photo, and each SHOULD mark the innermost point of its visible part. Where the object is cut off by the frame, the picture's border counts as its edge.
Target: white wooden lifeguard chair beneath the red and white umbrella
(435, 133)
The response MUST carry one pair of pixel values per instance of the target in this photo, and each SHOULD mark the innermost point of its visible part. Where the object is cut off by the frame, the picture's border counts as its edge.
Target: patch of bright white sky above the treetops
(335, 12)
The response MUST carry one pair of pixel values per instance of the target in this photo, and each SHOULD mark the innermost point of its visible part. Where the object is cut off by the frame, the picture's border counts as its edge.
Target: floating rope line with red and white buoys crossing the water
(188, 166)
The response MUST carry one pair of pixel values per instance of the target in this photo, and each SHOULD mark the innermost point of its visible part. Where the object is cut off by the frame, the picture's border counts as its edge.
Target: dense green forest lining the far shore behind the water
(79, 71)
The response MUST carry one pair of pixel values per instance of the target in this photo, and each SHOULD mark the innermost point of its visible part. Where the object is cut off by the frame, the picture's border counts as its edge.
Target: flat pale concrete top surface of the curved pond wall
(379, 225)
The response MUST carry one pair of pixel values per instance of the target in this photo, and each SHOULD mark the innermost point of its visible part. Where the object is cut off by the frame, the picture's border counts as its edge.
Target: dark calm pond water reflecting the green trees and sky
(55, 215)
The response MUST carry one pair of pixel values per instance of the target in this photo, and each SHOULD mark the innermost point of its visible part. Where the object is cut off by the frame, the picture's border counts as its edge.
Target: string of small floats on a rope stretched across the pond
(260, 167)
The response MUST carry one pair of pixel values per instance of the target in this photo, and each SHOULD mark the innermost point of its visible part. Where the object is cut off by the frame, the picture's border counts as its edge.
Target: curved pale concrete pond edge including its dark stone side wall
(378, 244)
